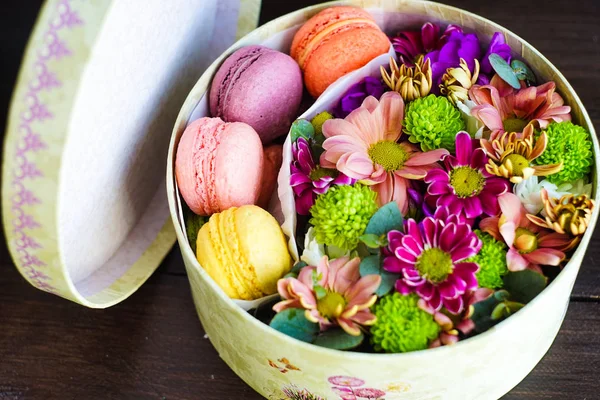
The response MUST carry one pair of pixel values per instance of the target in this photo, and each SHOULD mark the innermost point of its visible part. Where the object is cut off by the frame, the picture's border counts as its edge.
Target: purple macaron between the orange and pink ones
(259, 86)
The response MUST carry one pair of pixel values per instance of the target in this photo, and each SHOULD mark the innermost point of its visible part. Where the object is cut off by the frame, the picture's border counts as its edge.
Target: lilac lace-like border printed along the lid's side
(29, 142)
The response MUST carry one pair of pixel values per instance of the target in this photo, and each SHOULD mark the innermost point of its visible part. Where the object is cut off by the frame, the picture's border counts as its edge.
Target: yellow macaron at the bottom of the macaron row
(244, 251)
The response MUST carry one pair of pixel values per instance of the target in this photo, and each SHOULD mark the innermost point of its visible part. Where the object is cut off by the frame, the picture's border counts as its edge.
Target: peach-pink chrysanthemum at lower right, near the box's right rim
(529, 246)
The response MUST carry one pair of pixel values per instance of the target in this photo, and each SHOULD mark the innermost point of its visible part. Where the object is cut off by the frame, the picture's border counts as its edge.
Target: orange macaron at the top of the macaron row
(334, 42)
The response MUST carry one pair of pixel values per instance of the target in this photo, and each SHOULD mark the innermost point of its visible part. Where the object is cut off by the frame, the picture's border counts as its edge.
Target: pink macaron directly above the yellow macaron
(218, 165)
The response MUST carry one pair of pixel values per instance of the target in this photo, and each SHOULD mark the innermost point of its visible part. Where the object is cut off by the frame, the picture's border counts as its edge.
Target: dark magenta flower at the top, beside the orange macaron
(410, 44)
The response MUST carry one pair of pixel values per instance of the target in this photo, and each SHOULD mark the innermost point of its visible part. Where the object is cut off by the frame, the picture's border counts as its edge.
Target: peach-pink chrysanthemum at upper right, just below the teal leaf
(503, 109)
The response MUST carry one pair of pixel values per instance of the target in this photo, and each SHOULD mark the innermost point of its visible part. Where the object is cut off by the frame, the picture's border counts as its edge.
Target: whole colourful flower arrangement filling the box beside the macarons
(433, 200)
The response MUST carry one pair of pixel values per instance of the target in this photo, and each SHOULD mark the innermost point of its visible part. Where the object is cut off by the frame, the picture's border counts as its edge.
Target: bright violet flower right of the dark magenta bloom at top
(459, 45)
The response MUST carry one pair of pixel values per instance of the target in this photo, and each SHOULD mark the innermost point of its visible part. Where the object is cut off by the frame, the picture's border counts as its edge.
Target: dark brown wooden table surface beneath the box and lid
(152, 346)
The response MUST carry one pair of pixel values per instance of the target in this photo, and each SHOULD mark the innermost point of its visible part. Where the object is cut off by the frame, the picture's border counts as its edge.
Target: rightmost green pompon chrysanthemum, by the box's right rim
(570, 144)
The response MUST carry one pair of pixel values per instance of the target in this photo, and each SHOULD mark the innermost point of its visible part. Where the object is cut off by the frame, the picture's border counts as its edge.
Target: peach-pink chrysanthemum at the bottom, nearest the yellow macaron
(344, 298)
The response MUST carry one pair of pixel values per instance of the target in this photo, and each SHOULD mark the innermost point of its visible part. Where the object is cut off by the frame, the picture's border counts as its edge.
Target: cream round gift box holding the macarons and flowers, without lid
(483, 367)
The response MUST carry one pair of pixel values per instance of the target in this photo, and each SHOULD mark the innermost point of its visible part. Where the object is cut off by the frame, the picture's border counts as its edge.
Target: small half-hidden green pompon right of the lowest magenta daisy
(491, 260)
